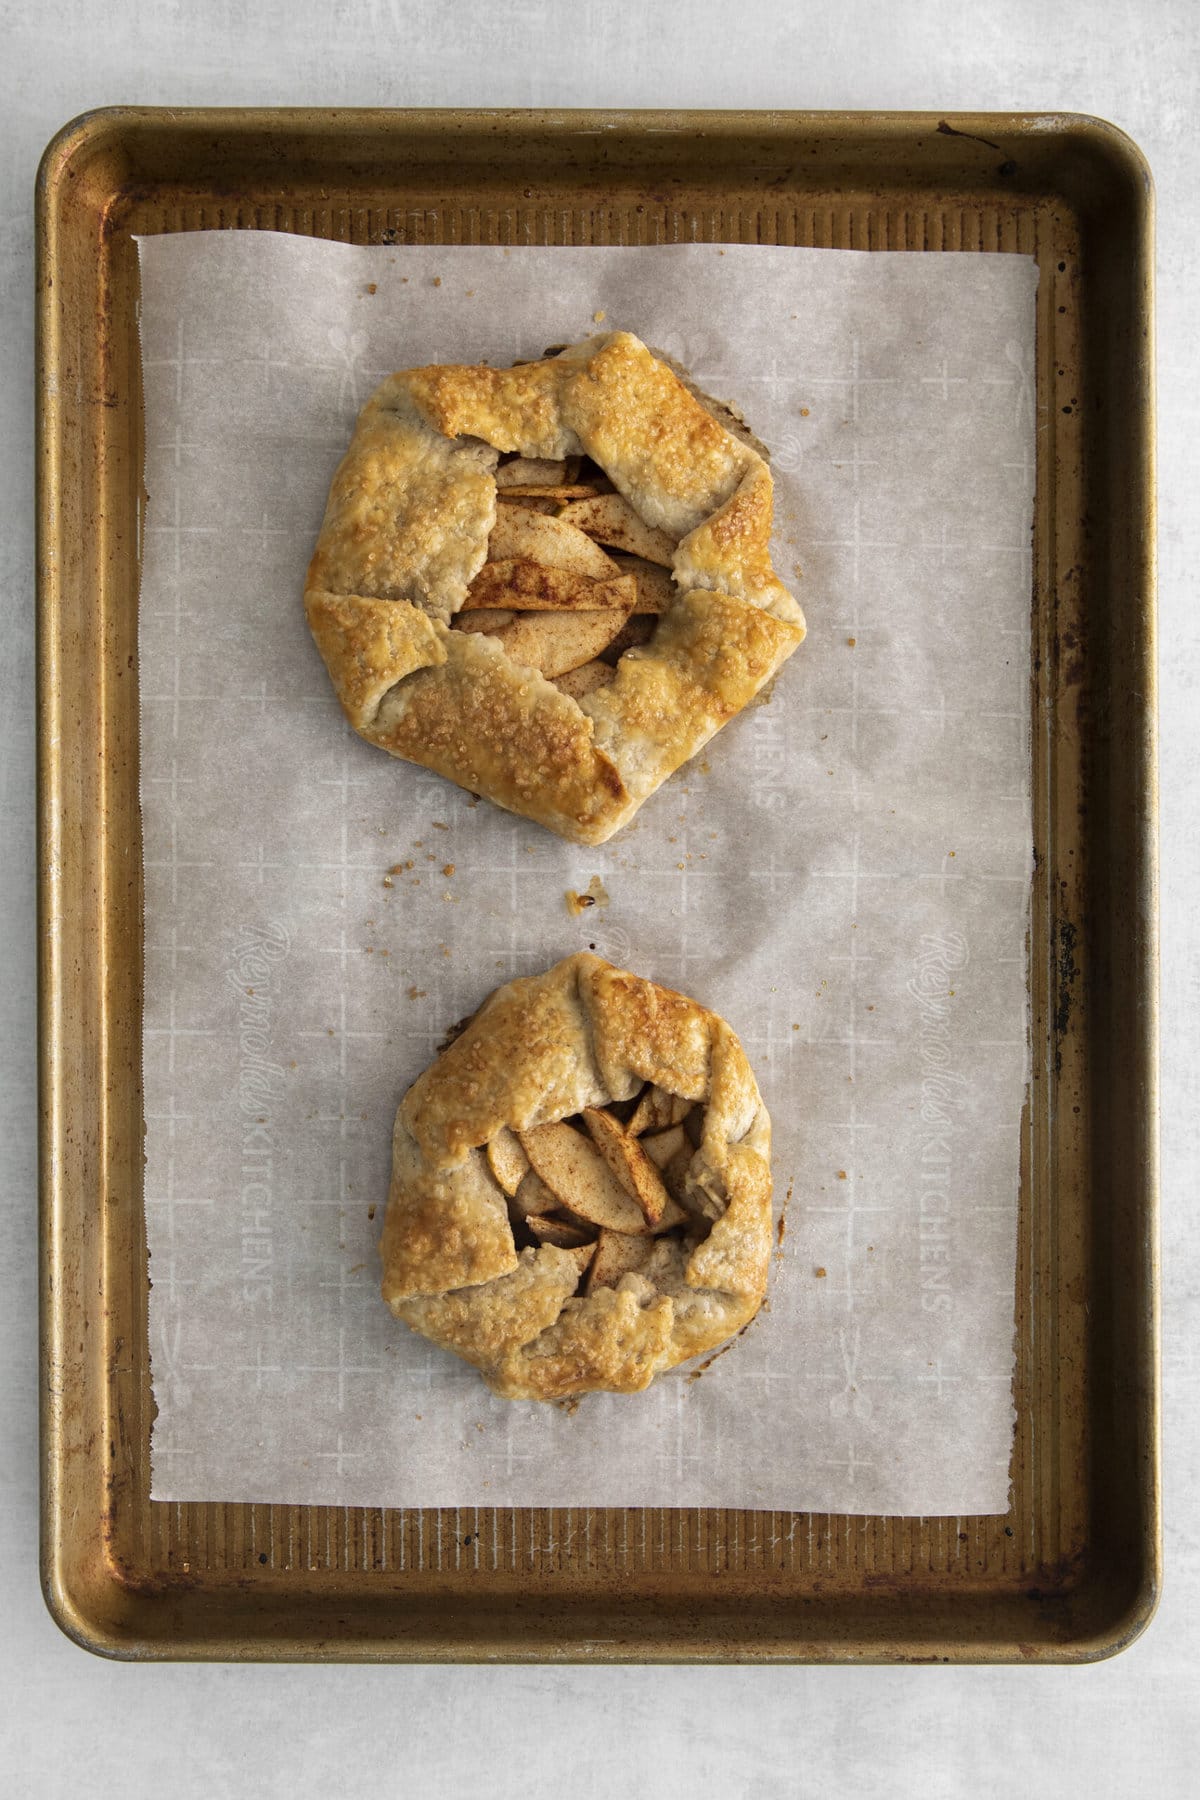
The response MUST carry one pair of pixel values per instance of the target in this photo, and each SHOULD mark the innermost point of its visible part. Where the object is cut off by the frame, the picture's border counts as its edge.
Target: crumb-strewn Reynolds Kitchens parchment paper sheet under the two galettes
(845, 876)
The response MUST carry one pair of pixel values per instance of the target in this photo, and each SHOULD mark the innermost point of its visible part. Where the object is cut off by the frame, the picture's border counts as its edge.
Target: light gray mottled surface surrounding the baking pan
(73, 1725)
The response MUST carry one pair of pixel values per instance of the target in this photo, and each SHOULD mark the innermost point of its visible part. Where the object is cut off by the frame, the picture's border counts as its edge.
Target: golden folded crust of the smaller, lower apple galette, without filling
(542, 1050)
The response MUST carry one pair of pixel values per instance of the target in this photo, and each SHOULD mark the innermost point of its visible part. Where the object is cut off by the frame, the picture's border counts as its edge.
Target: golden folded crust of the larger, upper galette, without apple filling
(407, 526)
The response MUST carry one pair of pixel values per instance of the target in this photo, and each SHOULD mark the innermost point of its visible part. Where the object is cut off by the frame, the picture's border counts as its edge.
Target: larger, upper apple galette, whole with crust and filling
(553, 582)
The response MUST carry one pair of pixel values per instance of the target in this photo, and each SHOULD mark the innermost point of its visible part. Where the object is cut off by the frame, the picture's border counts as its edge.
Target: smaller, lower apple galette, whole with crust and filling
(582, 1187)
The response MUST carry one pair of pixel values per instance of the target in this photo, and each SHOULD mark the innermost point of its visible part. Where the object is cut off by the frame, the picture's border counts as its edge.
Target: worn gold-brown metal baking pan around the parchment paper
(1073, 1570)
